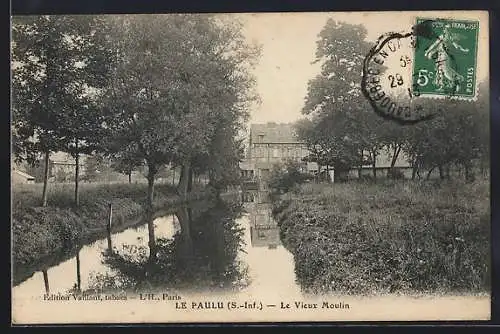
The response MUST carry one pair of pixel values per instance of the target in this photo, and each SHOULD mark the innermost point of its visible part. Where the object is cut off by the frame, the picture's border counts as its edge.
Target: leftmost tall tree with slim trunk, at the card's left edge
(39, 60)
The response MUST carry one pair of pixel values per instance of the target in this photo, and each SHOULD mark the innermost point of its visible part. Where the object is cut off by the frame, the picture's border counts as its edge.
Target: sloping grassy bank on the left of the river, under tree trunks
(38, 232)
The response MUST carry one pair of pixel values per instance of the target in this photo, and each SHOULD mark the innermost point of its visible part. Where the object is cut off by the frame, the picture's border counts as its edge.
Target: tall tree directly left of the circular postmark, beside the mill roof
(334, 98)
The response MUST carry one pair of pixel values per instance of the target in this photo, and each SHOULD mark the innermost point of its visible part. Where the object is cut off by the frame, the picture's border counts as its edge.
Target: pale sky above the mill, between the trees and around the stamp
(288, 43)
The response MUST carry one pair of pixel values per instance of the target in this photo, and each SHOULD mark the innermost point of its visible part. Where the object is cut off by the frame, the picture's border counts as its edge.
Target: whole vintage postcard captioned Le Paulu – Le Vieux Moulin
(256, 167)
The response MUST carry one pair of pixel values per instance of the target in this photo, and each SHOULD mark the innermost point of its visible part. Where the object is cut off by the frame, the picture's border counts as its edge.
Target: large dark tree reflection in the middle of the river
(202, 255)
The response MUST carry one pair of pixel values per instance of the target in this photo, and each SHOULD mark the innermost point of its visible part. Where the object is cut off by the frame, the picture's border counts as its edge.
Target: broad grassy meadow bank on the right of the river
(397, 237)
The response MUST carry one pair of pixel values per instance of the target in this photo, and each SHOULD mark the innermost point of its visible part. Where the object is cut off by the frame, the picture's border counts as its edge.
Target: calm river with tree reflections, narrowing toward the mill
(229, 247)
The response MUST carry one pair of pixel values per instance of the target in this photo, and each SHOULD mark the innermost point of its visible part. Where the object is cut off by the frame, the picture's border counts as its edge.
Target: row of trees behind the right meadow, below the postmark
(343, 132)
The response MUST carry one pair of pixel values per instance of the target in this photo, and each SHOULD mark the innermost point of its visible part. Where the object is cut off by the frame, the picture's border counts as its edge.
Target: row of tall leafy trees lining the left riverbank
(143, 90)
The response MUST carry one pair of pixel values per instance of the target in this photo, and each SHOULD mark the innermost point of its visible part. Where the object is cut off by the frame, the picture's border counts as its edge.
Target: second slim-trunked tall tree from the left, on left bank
(82, 116)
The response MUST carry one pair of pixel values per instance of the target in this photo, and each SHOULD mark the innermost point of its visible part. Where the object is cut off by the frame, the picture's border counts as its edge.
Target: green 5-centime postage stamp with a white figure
(445, 58)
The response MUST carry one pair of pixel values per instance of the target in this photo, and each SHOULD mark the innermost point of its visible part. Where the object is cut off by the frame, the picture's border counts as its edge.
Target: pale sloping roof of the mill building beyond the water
(273, 133)
